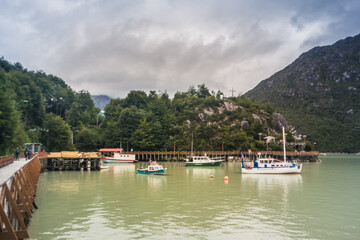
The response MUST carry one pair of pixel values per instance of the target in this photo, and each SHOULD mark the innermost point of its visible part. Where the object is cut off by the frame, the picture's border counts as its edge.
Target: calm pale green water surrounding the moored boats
(117, 203)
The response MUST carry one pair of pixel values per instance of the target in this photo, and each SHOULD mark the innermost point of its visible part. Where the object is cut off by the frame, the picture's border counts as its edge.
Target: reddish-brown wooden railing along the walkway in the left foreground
(17, 201)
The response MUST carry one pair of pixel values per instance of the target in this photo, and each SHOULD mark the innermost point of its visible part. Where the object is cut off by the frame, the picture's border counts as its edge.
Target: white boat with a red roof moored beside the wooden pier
(116, 155)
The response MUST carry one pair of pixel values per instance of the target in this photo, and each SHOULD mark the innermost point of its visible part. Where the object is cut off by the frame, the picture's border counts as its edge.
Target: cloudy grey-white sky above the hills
(111, 47)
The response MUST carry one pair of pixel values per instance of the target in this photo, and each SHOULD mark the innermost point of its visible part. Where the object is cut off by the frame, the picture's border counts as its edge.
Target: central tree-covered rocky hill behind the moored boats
(156, 122)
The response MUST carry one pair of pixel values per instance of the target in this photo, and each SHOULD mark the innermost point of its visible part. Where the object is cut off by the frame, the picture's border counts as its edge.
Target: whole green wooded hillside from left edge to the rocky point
(38, 107)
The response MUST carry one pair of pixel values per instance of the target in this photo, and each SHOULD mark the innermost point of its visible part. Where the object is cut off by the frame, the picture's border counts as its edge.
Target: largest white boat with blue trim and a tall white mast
(270, 165)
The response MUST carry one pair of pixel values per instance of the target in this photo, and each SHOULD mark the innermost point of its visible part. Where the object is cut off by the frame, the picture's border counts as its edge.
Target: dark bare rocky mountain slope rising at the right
(319, 93)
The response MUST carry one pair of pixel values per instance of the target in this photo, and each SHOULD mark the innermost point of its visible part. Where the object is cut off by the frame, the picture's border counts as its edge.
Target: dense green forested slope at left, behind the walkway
(40, 107)
